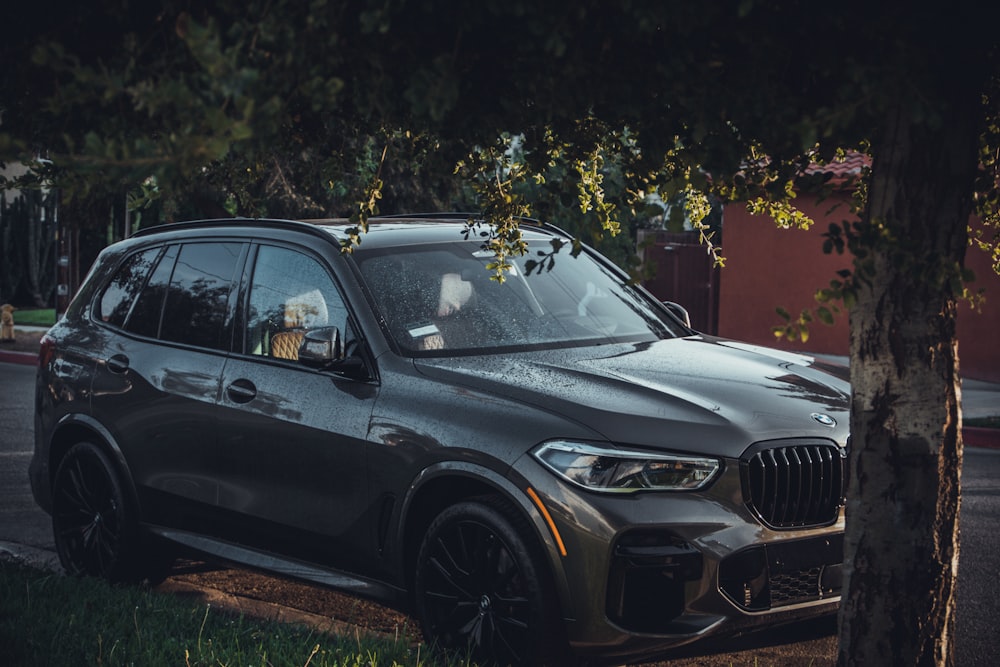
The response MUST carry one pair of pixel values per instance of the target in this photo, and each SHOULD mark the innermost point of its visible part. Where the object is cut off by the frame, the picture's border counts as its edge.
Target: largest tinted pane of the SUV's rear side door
(198, 299)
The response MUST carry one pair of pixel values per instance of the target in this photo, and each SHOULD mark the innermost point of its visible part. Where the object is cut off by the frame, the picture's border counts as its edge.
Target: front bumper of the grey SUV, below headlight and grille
(647, 572)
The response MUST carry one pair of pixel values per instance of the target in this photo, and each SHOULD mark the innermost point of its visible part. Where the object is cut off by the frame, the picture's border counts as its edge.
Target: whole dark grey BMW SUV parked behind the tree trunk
(542, 469)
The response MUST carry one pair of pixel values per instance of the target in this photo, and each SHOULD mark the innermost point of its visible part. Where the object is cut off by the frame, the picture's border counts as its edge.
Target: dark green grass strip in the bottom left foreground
(49, 619)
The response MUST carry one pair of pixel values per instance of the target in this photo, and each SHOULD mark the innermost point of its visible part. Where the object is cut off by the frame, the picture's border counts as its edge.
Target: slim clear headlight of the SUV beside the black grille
(625, 470)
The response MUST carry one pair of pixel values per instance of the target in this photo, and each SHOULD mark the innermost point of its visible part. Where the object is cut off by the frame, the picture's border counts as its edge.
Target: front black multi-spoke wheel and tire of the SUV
(481, 592)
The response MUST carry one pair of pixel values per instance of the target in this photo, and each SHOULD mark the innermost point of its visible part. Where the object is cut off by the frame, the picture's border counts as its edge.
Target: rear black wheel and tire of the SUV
(95, 528)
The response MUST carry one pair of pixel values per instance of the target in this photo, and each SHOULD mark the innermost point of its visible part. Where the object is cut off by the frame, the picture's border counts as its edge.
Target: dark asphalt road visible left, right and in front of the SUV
(21, 522)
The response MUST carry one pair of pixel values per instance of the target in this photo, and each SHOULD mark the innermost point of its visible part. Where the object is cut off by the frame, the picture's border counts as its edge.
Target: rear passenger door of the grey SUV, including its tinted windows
(167, 326)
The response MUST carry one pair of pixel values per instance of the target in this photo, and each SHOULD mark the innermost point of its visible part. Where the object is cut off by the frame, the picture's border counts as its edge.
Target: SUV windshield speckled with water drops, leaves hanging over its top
(439, 299)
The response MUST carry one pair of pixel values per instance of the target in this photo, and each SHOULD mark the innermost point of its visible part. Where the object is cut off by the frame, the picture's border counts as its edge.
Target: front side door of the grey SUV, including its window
(291, 438)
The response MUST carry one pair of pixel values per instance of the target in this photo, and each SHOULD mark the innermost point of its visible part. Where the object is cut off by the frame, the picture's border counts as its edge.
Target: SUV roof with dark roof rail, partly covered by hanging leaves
(383, 231)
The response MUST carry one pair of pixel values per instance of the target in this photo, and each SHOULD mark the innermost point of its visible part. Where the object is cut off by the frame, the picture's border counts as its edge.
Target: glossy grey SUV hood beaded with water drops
(695, 394)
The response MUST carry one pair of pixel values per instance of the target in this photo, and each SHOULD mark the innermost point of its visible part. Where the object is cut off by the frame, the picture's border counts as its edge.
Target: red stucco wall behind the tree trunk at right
(767, 267)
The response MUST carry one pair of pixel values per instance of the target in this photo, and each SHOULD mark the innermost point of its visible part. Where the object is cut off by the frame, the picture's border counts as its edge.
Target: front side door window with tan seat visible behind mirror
(290, 293)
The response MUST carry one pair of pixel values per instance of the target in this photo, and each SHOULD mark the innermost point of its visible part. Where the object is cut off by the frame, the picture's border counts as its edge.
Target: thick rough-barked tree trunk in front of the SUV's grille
(901, 552)
